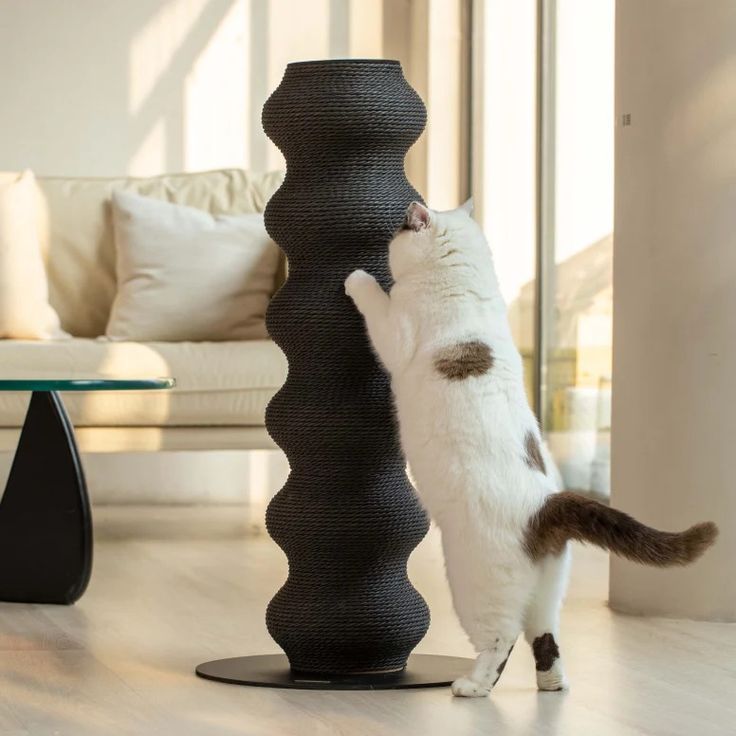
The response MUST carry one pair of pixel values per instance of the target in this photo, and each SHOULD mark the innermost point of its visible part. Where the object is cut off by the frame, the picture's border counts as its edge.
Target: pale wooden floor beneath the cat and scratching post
(121, 661)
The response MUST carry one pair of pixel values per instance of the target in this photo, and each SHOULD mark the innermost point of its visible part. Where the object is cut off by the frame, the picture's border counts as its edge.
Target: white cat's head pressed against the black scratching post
(449, 242)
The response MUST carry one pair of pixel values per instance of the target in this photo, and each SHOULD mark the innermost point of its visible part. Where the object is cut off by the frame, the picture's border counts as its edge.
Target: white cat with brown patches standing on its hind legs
(475, 450)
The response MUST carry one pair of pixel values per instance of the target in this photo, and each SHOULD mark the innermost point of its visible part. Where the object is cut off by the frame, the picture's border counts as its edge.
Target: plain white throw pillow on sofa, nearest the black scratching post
(185, 275)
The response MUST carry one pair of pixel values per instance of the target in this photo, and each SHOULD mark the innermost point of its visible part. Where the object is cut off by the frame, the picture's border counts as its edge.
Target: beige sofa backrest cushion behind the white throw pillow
(75, 227)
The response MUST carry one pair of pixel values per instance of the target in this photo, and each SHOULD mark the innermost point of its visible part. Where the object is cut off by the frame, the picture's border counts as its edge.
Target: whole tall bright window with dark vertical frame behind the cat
(543, 162)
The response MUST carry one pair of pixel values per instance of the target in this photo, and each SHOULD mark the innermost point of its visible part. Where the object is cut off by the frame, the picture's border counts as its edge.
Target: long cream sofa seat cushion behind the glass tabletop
(224, 383)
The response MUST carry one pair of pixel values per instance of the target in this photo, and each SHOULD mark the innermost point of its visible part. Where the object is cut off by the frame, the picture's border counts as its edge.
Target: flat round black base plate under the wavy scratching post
(272, 670)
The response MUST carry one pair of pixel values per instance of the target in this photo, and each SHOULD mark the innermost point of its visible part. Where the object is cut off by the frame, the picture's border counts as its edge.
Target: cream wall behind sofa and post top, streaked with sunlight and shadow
(108, 87)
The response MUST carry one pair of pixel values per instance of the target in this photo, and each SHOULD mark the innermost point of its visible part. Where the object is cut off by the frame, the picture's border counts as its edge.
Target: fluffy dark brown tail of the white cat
(568, 515)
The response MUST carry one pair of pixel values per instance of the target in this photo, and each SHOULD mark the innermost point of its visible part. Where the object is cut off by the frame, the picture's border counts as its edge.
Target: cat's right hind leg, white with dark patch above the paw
(542, 621)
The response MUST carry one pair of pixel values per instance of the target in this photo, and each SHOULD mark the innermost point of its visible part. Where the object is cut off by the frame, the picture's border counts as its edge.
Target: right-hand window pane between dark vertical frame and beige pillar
(577, 239)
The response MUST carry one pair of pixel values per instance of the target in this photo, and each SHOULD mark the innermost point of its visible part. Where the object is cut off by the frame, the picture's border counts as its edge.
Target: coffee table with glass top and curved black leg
(45, 520)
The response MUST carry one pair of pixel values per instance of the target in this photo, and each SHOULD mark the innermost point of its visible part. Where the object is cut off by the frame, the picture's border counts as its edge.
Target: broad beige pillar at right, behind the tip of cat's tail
(674, 399)
